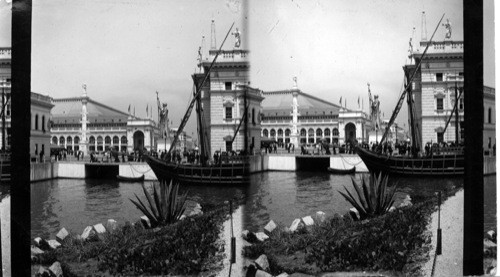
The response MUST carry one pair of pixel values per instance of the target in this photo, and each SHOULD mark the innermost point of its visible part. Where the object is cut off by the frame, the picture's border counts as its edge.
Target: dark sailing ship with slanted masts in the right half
(440, 161)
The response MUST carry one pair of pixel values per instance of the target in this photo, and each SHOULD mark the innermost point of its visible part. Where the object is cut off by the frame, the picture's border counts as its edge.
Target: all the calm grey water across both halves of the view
(281, 196)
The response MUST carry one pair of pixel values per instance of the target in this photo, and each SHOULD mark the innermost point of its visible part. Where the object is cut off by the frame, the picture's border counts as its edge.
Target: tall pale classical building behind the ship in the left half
(223, 101)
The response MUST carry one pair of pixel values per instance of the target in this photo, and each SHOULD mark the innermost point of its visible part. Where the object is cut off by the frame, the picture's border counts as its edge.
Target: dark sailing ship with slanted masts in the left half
(223, 169)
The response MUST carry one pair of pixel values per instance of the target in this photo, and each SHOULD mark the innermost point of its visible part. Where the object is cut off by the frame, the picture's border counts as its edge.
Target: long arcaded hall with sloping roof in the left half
(81, 123)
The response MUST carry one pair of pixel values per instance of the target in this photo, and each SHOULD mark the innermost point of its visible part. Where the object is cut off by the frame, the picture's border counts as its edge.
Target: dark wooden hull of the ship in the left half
(227, 173)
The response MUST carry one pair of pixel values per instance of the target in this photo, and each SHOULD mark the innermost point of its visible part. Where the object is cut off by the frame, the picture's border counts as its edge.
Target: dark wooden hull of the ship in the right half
(447, 164)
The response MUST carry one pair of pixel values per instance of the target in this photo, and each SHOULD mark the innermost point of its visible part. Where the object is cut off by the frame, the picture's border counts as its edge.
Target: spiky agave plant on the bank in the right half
(373, 199)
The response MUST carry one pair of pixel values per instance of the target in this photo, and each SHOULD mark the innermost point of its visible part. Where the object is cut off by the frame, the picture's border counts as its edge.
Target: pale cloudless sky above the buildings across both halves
(125, 51)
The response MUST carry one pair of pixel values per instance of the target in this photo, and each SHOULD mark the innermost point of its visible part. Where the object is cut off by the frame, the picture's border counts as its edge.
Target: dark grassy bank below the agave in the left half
(189, 246)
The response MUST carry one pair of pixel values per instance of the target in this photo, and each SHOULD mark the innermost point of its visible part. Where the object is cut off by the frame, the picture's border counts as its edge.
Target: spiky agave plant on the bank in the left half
(166, 206)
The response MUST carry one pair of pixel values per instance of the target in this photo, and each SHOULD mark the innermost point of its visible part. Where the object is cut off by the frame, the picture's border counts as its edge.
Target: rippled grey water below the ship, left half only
(75, 204)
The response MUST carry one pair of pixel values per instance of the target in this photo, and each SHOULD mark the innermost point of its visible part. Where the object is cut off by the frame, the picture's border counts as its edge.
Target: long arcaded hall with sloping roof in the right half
(292, 116)
